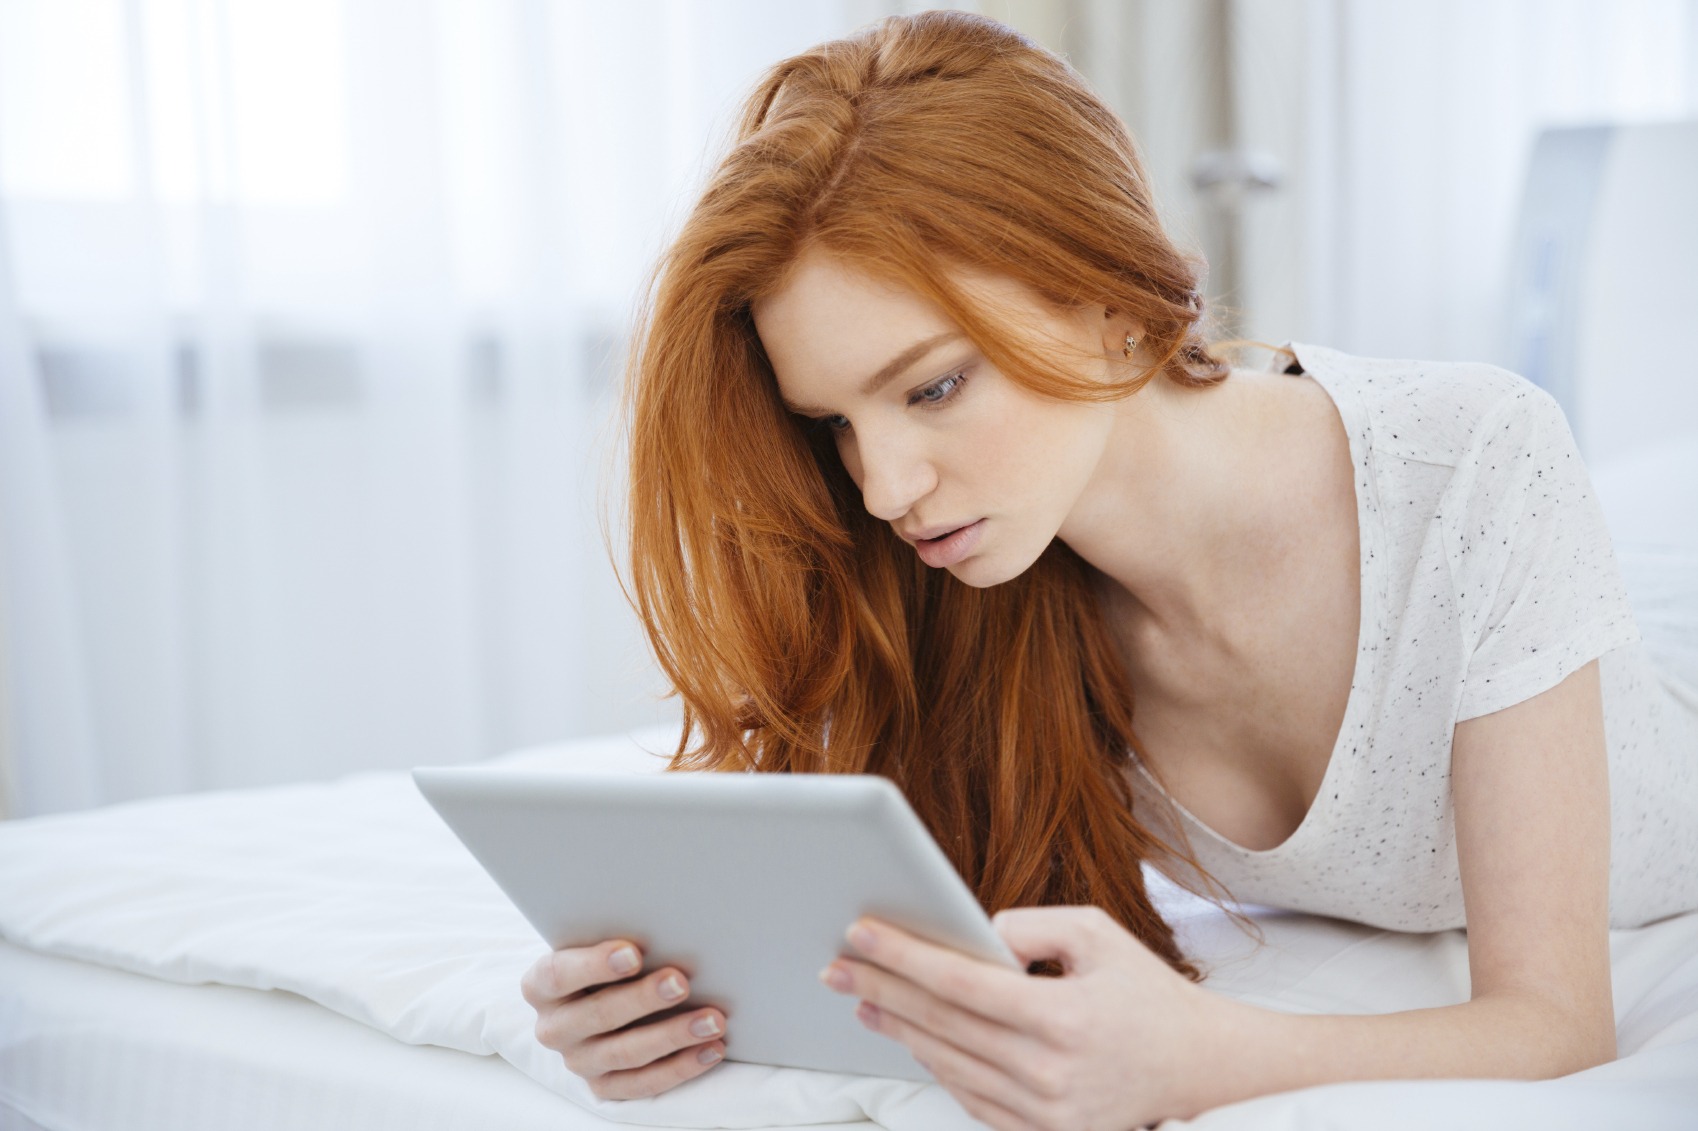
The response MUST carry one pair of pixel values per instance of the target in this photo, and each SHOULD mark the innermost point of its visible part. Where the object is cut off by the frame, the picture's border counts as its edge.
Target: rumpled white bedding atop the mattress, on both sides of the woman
(354, 896)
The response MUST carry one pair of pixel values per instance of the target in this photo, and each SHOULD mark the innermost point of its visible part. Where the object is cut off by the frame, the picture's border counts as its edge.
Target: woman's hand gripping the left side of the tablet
(585, 999)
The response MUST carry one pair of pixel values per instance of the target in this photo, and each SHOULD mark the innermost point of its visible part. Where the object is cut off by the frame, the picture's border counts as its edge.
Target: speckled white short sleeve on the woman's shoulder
(1538, 585)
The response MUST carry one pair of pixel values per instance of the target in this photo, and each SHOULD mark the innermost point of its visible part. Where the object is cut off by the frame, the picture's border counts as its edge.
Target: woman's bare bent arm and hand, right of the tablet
(1123, 1040)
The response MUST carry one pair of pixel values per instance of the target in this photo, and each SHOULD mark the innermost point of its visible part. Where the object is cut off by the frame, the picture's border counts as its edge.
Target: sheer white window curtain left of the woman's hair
(310, 313)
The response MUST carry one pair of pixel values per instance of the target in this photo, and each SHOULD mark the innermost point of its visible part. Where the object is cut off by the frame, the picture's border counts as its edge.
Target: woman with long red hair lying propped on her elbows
(935, 476)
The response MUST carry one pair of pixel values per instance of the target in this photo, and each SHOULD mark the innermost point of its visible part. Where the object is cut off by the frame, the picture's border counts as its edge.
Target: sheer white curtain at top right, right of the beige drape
(1419, 125)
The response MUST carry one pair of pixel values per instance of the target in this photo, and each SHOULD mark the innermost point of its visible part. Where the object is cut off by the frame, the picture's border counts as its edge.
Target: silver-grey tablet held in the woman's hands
(746, 882)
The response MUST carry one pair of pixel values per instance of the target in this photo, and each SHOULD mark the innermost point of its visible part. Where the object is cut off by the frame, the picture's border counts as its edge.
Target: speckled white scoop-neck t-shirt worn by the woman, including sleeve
(1487, 578)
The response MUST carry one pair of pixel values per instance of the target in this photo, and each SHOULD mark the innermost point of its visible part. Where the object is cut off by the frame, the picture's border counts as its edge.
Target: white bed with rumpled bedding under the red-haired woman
(327, 957)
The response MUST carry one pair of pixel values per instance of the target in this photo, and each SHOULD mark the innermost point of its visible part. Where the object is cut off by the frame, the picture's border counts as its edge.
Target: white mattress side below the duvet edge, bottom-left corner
(93, 1049)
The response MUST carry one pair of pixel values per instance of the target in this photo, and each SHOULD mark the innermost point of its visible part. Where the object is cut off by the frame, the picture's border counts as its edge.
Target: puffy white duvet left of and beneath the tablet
(356, 896)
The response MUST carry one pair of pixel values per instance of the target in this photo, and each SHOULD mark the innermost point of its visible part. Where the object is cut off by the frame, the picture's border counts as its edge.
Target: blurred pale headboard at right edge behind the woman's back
(1602, 305)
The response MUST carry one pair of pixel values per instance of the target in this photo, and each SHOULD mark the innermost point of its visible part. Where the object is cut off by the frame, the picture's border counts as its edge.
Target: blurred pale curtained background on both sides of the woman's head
(312, 313)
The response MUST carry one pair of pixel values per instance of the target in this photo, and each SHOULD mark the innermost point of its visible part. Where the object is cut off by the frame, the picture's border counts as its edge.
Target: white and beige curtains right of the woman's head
(1400, 132)
